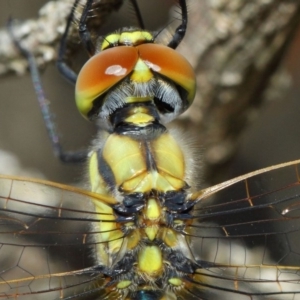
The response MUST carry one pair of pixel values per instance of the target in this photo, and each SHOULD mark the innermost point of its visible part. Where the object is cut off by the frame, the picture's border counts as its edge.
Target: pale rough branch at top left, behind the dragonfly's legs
(41, 36)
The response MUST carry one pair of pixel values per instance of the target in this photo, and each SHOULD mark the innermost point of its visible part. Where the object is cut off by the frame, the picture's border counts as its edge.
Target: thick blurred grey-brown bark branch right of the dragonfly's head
(236, 48)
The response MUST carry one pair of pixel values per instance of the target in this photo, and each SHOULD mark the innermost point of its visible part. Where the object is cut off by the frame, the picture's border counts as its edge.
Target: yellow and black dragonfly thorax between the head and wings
(139, 170)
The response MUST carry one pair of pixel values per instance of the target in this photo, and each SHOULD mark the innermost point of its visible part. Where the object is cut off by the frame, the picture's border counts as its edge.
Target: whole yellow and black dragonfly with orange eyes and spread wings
(144, 231)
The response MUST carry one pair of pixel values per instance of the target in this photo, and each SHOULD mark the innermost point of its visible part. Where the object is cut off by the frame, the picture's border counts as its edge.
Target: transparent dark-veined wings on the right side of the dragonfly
(246, 237)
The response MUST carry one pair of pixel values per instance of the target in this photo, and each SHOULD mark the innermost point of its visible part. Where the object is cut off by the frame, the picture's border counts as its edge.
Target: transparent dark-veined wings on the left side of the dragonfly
(46, 241)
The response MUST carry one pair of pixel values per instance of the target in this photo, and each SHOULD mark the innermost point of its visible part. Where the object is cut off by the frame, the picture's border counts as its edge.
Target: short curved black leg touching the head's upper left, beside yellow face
(85, 35)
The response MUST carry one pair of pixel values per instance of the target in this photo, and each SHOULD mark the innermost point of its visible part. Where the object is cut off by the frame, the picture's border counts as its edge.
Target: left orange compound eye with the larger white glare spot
(101, 73)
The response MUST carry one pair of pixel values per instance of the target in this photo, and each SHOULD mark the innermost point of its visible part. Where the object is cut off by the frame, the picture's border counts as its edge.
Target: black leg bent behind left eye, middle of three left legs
(62, 66)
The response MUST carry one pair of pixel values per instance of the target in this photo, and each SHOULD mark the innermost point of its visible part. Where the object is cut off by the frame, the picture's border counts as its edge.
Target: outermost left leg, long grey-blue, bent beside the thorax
(68, 157)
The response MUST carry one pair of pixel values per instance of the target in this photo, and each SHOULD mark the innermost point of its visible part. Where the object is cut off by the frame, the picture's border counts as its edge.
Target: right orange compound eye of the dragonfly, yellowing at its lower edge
(171, 64)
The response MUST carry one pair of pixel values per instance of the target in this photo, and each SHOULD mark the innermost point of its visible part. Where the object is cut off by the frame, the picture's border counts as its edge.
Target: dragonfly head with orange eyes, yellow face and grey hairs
(131, 68)
